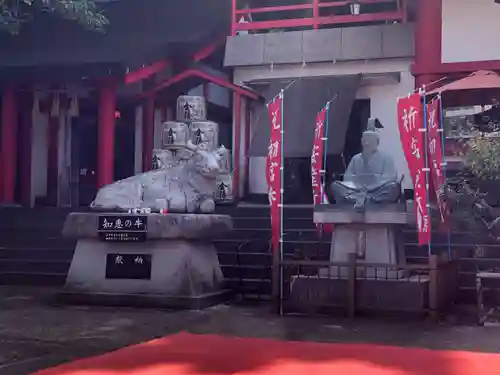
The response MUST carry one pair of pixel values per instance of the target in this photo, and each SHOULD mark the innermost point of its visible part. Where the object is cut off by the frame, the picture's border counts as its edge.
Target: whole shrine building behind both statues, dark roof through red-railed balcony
(82, 109)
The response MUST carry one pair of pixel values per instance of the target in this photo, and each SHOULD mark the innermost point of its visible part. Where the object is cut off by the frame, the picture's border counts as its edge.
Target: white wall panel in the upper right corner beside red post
(470, 30)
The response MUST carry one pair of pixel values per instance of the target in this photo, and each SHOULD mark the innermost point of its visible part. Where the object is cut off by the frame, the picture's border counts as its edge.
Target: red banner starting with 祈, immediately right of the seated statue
(411, 131)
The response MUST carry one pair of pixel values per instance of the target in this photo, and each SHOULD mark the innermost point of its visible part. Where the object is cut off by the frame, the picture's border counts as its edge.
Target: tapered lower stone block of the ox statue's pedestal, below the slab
(177, 269)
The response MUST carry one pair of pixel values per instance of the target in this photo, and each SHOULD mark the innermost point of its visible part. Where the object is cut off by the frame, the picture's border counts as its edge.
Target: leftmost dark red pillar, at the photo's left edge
(9, 143)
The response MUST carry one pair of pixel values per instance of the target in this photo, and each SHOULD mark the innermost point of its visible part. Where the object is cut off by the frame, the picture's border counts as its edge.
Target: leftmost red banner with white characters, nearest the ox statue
(273, 169)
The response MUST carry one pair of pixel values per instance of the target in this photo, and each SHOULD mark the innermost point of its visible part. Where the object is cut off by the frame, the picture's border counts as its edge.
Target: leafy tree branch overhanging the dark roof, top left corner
(13, 13)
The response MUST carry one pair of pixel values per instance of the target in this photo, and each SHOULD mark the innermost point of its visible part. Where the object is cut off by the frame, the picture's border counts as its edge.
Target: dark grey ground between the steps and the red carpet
(35, 334)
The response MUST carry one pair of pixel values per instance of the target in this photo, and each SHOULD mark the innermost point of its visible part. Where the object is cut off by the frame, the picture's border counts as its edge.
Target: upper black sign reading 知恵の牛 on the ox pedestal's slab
(122, 228)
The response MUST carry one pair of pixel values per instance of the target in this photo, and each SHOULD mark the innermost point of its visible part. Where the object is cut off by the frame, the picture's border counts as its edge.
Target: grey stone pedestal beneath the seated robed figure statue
(375, 236)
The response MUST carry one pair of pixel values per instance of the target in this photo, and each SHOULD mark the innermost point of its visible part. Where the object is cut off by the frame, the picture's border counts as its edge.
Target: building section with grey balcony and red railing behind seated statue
(361, 54)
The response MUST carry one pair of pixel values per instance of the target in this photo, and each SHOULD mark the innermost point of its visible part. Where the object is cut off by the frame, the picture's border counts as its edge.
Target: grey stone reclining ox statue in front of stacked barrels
(188, 186)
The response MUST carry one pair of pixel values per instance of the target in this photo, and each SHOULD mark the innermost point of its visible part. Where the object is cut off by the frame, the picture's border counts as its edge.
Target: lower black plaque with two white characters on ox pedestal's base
(128, 266)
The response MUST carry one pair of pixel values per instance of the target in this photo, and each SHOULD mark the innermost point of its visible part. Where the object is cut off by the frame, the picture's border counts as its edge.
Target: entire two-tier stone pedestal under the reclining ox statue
(173, 265)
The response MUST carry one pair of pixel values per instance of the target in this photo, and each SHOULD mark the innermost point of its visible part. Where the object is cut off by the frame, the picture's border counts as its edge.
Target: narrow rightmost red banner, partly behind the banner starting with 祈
(436, 156)
